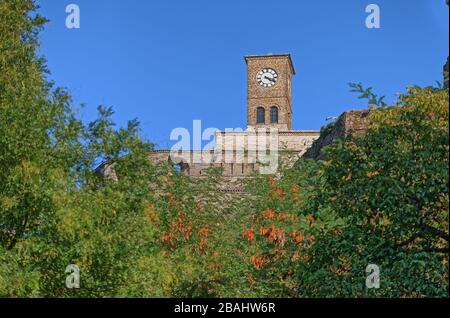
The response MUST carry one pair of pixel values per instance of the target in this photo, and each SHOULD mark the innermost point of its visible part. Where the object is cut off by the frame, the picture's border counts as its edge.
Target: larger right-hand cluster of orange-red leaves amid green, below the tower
(276, 235)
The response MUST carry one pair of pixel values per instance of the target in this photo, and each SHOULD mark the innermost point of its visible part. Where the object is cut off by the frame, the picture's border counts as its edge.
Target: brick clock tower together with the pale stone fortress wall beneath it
(240, 154)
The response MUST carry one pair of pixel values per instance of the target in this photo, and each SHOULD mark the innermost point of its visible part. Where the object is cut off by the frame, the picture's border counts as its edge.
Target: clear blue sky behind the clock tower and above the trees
(170, 62)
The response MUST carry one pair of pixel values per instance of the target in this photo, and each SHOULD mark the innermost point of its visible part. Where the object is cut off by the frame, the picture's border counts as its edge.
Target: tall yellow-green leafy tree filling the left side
(55, 209)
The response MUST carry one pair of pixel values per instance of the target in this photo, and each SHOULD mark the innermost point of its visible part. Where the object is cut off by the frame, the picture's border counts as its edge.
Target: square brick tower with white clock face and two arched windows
(269, 91)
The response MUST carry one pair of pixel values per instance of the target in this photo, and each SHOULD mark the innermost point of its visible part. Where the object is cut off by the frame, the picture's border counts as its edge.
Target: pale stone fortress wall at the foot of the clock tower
(239, 153)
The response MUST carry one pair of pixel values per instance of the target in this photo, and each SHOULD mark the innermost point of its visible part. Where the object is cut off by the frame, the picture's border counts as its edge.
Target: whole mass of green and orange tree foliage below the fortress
(146, 230)
